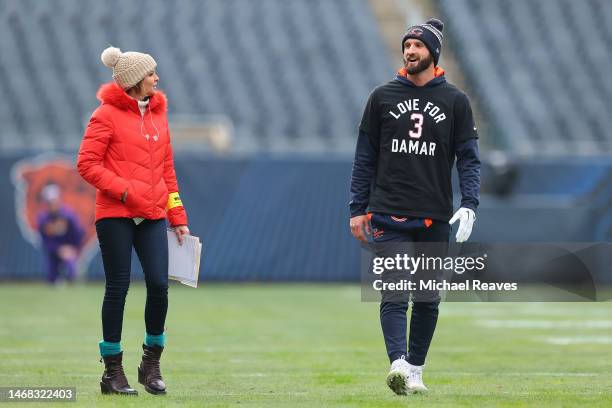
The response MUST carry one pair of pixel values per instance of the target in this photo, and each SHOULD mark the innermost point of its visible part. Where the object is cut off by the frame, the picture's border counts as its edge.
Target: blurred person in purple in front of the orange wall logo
(61, 235)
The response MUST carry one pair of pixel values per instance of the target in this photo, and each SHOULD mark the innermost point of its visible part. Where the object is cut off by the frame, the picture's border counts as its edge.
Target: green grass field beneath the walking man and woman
(310, 346)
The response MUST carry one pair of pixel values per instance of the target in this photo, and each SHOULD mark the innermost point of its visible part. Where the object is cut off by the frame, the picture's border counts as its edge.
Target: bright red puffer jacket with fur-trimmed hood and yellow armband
(123, 150)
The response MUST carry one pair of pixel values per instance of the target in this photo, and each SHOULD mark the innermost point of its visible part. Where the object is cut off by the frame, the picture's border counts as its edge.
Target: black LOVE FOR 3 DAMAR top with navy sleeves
(409, 137)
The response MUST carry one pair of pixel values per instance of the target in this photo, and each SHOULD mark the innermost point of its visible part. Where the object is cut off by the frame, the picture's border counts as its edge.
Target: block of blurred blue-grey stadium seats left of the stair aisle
(287, 73)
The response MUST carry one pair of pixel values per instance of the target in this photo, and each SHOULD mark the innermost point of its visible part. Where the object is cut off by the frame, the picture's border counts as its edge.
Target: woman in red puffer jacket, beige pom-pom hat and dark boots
(126, 154)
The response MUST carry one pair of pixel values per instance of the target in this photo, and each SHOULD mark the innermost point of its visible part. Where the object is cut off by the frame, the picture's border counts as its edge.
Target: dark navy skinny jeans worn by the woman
(117, 236)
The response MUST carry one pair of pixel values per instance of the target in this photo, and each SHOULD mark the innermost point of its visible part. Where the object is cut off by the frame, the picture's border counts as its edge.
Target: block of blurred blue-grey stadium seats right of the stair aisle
(540, 69)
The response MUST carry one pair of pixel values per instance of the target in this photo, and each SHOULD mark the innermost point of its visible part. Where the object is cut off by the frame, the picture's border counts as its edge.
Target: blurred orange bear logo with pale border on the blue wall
(31, 175)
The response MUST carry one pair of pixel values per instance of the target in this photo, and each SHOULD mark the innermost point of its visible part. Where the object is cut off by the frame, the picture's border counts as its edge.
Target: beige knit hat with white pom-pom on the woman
(129, 68)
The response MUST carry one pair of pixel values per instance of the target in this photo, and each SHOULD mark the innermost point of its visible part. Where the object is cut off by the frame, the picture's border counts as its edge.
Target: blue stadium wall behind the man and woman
(286, 219)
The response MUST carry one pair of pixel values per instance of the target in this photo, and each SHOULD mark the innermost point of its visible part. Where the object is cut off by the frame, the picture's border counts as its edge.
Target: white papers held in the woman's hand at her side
(184, 260)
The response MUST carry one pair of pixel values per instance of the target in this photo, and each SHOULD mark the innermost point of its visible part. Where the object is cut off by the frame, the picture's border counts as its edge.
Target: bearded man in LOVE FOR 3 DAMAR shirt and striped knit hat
(412, 129)
